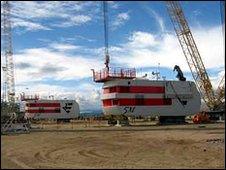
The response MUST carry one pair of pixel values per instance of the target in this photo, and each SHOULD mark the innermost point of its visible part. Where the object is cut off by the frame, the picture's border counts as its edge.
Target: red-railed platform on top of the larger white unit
(113, 73)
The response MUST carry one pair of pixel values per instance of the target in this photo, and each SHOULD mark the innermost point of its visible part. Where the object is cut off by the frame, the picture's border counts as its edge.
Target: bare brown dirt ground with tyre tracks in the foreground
(93, 146)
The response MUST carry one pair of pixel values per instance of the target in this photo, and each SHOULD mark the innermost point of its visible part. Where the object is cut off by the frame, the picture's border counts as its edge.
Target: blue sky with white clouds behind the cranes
(57, 43)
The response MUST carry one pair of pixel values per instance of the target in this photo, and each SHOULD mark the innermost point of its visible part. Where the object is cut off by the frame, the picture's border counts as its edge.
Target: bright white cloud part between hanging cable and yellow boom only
(146, 50)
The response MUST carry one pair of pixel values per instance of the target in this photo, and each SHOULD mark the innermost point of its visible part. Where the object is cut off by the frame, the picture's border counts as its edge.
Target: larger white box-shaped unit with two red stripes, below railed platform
(150, 97)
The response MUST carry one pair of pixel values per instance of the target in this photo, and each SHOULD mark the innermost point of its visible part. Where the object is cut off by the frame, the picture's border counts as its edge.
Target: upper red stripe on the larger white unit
(134, 89)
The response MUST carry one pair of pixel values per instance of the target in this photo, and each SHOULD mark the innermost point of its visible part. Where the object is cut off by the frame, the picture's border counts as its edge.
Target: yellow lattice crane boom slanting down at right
(191, 53)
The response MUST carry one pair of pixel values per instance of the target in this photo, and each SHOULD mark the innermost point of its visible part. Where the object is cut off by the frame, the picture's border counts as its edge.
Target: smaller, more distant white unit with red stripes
(51, 109)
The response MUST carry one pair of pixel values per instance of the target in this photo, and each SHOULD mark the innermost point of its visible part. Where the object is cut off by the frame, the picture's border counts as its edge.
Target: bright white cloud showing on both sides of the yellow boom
(146, 50)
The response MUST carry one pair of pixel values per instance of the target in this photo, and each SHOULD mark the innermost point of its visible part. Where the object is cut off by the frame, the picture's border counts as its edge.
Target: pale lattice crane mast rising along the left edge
(8, 68)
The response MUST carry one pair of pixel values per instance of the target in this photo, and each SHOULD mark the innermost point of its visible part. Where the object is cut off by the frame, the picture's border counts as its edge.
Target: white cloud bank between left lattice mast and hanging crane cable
(43, 63)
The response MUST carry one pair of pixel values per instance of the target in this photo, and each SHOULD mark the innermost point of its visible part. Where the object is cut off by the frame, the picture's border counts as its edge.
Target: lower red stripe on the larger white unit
(136, 102)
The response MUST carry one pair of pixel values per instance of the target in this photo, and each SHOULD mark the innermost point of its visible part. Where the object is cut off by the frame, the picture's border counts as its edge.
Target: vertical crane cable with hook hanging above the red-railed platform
(107, 59)
